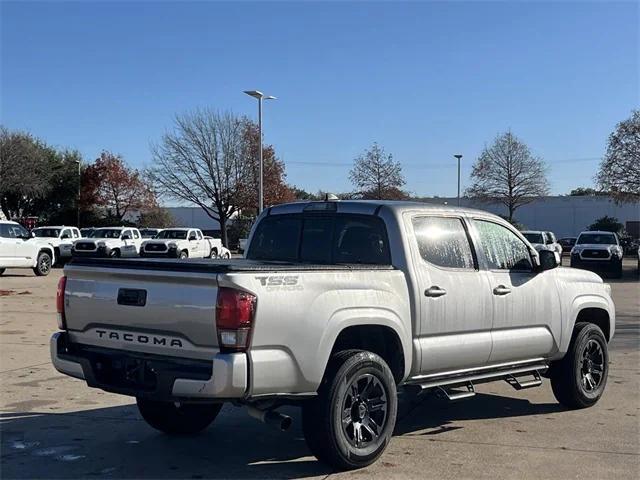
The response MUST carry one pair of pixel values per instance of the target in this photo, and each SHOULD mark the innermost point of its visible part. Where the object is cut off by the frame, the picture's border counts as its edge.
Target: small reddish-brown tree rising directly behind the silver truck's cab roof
(377, 176)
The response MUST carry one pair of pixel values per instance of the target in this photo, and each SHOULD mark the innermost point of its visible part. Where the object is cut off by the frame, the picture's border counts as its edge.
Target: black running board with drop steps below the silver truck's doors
(508, 374)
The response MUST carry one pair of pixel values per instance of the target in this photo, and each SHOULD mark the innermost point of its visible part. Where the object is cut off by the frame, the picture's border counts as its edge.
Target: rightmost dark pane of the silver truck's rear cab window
(360, 240)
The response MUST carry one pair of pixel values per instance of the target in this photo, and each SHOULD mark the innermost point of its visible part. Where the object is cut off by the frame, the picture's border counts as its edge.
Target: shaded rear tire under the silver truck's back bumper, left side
(178, 418)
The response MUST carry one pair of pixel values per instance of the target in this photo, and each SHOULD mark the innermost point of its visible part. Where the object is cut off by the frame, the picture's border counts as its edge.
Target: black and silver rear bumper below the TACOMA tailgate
(153, 376)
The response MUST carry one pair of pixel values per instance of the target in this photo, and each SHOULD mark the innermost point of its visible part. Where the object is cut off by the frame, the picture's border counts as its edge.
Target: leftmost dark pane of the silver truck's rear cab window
(276, 238)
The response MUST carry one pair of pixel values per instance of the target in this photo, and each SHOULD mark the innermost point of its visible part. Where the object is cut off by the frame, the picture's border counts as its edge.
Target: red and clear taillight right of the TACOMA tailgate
(235, 310)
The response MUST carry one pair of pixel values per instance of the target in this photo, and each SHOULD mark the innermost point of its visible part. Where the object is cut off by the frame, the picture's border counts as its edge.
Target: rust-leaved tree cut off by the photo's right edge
(619, 171)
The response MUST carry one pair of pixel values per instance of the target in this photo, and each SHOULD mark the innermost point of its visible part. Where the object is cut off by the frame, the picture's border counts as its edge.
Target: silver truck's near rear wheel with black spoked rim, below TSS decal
(350, 423)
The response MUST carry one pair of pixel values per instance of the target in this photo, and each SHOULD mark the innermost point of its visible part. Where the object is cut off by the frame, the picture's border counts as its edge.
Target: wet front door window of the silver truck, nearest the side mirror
(502, 248)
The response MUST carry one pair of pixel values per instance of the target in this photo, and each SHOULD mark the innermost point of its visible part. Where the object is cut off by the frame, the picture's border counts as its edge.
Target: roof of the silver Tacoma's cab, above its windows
(370, 207)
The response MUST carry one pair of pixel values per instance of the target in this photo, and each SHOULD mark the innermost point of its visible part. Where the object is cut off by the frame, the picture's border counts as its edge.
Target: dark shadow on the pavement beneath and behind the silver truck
(115, 443)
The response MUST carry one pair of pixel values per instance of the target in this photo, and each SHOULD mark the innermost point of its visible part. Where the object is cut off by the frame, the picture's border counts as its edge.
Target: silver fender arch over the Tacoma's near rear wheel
(350, 317)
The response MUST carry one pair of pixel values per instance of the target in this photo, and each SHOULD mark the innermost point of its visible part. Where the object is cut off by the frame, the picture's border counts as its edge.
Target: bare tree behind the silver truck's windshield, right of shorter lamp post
(507, 172)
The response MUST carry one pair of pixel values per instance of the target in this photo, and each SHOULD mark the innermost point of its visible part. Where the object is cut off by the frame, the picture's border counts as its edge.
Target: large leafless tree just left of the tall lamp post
(202, 161)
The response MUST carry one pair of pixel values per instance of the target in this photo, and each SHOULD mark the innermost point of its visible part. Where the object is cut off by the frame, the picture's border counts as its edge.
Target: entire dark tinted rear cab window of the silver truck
(337, 238)
